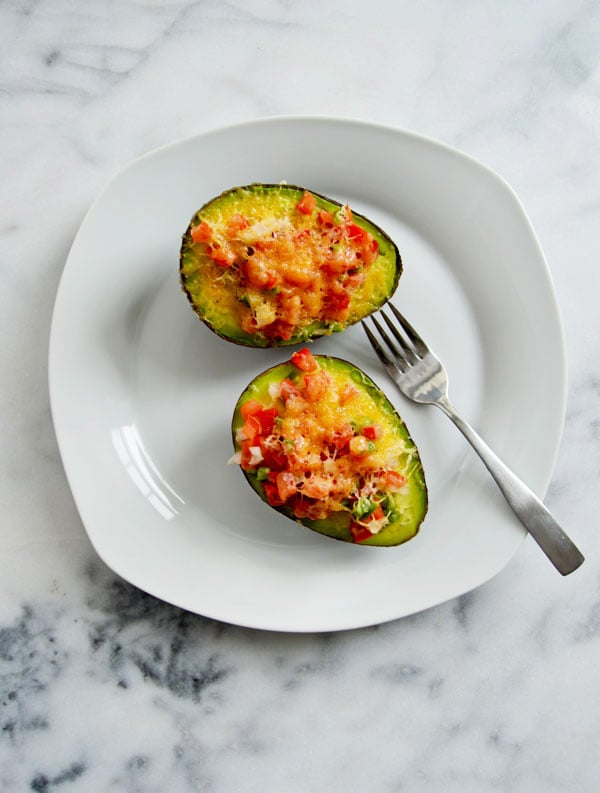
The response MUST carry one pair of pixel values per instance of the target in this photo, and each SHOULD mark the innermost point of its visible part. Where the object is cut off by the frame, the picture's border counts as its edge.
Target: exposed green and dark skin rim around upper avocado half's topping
(315, 330)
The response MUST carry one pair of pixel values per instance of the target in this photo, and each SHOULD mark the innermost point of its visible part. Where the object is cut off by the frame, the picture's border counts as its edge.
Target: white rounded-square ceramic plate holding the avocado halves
(142, 392)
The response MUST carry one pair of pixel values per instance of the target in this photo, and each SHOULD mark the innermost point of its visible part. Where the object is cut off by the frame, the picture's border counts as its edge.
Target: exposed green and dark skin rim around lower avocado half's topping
(393, 534)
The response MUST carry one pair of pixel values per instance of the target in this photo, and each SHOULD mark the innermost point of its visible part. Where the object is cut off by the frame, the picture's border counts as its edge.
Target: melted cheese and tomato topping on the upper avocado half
(281, 271)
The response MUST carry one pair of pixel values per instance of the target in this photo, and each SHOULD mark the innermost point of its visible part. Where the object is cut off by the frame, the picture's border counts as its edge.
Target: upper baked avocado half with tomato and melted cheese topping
(266, 265)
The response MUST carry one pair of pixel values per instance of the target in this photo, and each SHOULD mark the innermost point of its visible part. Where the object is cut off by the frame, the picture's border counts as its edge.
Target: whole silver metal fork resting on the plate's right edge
(420, 376)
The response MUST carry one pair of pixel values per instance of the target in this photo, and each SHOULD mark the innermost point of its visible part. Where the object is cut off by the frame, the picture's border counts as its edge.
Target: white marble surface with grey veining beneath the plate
(103, 688)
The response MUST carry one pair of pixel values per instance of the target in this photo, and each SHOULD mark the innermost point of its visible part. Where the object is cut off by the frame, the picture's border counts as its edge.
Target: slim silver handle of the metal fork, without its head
(538, 521)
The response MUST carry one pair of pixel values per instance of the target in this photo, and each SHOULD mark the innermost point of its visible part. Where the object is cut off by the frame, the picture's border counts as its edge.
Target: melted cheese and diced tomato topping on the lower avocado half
(326, 447)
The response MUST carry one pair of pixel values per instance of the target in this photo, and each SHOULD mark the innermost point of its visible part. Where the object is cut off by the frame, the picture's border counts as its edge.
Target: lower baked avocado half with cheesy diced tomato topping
(322, 444)
